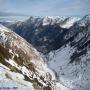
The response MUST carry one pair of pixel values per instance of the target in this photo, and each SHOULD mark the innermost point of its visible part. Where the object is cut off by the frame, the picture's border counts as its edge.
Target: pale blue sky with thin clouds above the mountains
(46, 7)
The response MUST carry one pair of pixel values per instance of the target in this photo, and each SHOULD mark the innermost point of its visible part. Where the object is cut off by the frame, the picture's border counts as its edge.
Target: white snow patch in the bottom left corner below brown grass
(13, 80)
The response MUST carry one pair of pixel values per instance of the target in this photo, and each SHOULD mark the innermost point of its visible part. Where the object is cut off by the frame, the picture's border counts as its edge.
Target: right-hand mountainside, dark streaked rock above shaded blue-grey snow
(72, 60)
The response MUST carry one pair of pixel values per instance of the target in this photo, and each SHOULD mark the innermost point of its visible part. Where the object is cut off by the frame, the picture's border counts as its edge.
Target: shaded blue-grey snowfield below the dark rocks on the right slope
(75, 76)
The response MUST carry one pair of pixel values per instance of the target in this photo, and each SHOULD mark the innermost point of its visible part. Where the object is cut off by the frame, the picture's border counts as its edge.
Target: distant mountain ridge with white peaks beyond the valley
(43, 32)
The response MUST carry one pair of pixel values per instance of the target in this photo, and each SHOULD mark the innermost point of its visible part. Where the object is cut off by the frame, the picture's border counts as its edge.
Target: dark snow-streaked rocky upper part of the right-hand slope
(79, 36)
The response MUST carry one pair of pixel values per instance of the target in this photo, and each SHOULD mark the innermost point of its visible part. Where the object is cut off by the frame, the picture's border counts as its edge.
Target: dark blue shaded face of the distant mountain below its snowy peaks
(43, 38)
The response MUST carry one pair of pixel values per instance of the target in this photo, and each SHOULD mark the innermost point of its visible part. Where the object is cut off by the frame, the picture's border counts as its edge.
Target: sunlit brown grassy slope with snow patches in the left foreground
(21, 64)
